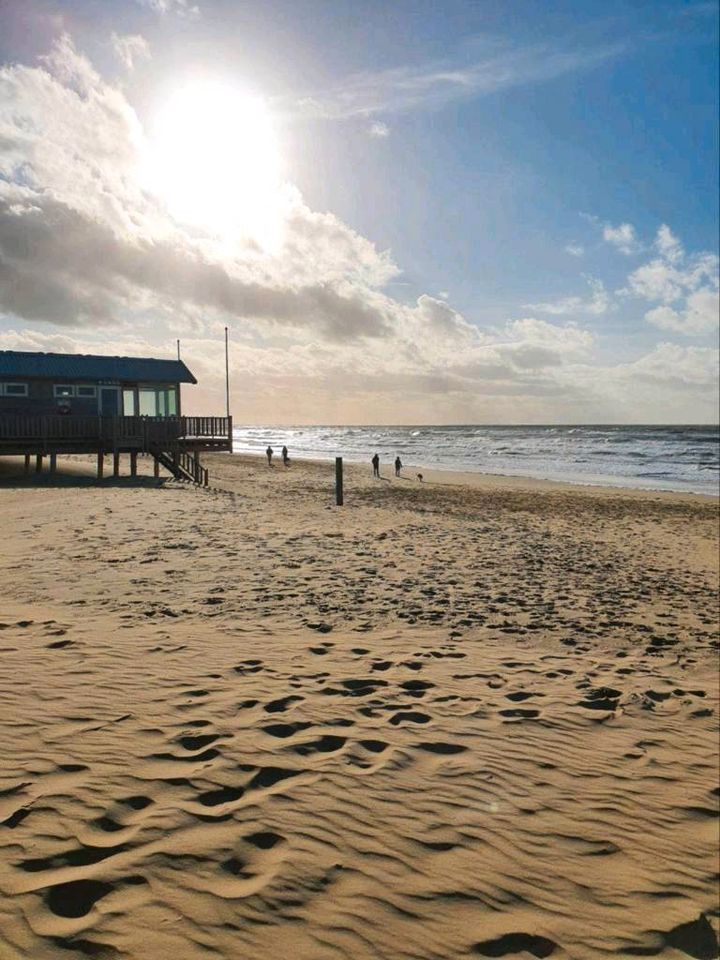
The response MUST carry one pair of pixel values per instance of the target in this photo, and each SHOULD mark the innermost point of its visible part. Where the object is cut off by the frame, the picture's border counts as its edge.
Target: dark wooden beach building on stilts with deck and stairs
(54, 403)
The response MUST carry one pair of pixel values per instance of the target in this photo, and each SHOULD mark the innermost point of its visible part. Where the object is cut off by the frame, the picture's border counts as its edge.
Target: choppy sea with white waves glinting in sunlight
(680, 458)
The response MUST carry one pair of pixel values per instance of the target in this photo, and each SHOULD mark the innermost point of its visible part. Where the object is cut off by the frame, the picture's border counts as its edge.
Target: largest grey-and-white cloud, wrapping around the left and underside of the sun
(80, 240)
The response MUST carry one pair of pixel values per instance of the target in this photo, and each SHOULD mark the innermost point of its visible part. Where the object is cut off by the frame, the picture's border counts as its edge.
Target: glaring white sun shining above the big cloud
(213, 157)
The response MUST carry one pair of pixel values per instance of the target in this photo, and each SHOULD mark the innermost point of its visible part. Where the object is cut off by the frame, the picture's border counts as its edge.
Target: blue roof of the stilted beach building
(79, 366)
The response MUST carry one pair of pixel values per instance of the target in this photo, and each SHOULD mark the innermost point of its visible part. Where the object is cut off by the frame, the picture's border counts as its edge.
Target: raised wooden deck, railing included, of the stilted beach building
(69, 434)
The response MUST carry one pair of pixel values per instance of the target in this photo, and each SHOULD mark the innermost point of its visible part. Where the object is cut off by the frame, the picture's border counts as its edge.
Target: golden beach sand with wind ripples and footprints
(473, 717)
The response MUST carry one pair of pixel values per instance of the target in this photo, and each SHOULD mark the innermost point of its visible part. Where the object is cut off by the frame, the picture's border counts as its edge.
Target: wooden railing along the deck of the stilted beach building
(109, 432)
